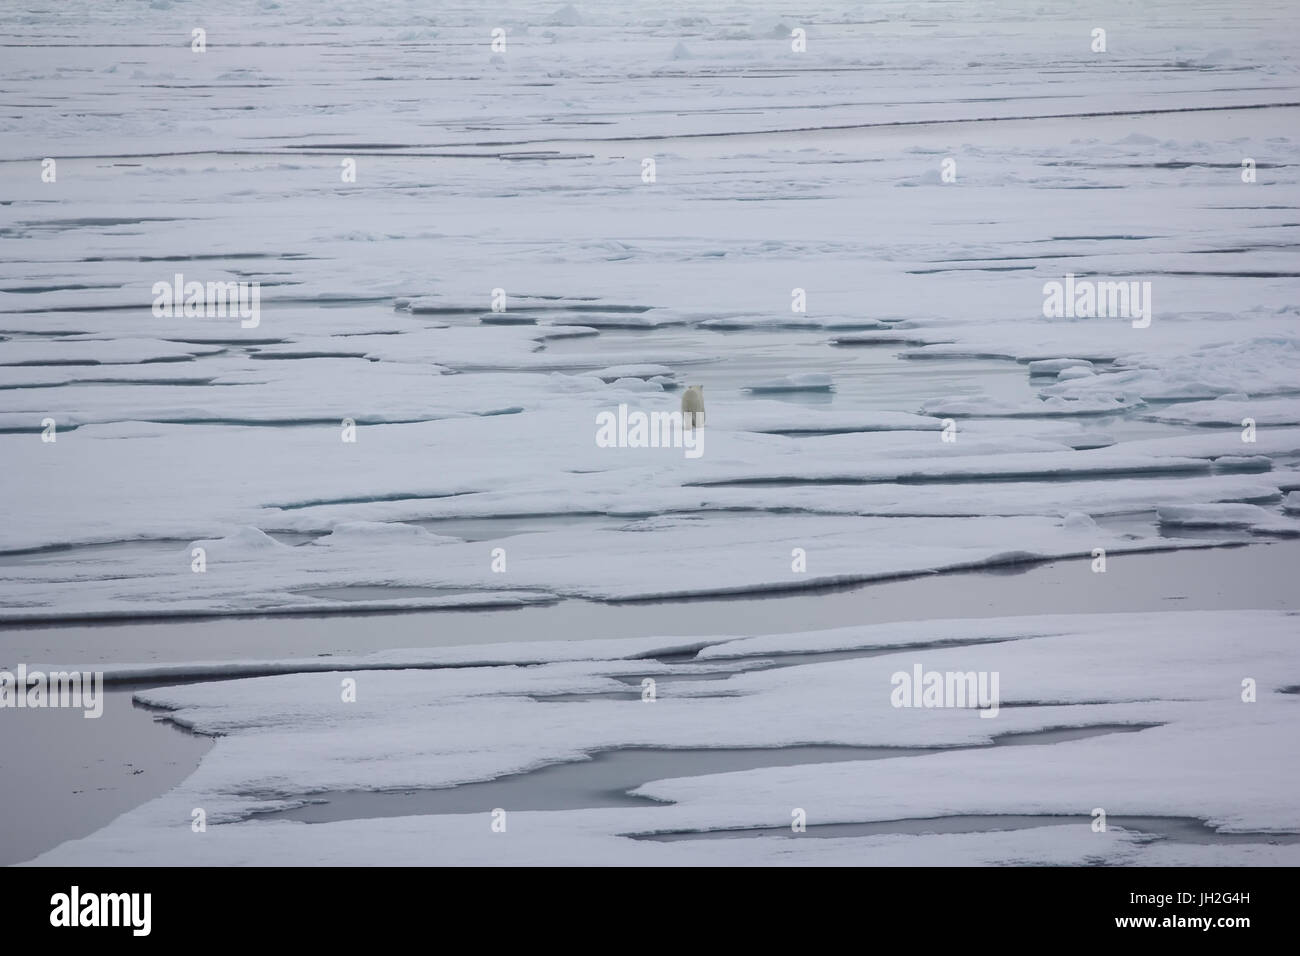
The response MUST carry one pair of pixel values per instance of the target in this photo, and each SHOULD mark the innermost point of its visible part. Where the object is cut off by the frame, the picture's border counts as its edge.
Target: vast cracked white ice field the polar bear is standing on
(837, 321)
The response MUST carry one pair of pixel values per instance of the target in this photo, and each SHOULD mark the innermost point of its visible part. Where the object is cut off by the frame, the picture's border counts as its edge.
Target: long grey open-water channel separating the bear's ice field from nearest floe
(1260, 576)
